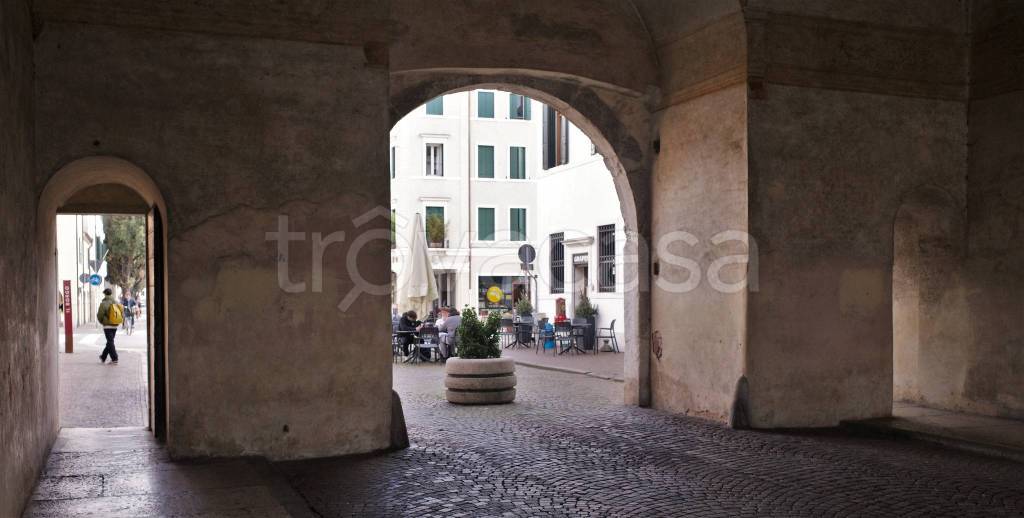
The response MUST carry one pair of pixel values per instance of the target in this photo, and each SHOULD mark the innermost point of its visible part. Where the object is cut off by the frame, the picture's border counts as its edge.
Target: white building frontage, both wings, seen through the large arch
(501, 170)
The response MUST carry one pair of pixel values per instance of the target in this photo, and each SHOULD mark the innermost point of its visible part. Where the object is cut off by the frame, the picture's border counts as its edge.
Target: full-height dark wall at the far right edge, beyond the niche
(993, 373)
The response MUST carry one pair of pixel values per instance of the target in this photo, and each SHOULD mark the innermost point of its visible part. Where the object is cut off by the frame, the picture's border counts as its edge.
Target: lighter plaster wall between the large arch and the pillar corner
(700, 188)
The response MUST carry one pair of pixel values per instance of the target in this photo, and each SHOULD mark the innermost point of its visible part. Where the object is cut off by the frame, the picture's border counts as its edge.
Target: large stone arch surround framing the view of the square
(617, 121)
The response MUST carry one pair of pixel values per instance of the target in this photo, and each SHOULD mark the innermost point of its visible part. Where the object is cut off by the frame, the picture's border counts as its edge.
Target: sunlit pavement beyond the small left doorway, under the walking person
(98, 396)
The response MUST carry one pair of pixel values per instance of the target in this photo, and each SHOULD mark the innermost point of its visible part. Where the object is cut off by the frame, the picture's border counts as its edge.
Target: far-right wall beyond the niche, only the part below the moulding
(993, 379)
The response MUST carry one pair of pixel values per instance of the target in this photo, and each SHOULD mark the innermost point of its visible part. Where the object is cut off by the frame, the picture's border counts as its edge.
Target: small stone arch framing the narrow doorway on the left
(93, 175)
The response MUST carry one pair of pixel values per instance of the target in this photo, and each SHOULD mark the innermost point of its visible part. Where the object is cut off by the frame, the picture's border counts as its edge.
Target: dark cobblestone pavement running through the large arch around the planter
(567, 448)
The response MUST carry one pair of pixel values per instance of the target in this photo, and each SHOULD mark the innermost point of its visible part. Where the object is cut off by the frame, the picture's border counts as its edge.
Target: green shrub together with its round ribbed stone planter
(480, 375)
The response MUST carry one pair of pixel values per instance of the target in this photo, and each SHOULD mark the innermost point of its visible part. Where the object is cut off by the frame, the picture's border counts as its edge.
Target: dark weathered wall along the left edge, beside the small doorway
(28, 365)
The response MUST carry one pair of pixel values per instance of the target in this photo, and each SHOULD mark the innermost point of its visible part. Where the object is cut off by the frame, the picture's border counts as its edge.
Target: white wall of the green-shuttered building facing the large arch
(461, 192)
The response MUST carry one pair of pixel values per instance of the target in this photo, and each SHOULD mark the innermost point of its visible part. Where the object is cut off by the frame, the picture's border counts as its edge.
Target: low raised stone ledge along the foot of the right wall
(982, 435)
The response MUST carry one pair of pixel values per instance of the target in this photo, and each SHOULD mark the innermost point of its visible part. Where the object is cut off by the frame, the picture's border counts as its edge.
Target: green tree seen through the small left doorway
(125, 240)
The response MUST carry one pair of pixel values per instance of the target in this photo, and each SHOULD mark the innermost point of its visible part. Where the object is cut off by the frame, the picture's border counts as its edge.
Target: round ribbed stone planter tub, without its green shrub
(489, 381)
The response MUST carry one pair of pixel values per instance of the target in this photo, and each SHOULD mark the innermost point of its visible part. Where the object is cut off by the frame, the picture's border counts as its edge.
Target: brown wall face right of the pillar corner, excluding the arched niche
(839, 137)
